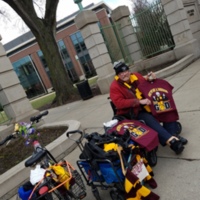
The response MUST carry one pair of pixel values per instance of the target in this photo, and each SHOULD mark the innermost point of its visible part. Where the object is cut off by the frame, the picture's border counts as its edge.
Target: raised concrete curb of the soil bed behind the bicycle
(19, 174)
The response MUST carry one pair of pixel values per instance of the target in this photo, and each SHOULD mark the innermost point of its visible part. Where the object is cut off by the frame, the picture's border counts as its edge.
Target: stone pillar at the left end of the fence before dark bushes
(121, 17)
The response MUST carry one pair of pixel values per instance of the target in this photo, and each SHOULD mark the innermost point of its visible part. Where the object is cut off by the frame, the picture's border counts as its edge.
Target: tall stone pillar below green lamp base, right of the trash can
(86, 22)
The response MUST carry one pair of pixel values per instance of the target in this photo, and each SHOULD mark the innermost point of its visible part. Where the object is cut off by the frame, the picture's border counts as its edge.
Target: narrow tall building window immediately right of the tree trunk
(67, 61)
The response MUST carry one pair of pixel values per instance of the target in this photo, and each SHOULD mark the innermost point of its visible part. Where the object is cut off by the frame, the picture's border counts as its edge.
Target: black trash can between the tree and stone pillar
(84, 90)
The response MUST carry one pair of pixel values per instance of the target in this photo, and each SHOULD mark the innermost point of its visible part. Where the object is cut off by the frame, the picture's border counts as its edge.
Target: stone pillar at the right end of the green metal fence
(180, 29)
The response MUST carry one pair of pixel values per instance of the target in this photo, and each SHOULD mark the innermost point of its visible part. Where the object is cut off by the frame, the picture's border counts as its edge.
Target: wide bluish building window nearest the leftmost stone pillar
(29, 77)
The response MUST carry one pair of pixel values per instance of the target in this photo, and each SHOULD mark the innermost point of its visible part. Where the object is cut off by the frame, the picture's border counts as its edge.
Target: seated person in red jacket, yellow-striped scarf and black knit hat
(123, 94)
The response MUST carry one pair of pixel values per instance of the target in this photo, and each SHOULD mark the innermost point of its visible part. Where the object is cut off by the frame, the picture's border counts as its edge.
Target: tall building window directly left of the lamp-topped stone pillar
(83, 54)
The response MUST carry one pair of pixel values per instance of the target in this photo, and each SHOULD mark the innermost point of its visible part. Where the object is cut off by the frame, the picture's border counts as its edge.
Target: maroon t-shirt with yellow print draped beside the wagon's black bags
(143, 135)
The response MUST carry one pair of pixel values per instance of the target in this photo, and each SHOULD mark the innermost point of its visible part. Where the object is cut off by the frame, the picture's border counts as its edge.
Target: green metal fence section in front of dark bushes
(151, 28)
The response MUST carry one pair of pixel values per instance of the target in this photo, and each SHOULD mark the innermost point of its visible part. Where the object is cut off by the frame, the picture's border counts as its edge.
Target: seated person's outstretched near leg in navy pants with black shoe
(164, 136)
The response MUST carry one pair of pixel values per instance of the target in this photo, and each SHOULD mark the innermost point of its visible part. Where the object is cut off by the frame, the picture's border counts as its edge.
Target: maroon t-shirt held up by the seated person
(162, 105)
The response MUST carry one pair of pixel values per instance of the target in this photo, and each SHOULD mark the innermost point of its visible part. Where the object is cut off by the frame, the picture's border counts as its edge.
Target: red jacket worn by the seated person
(123, 98)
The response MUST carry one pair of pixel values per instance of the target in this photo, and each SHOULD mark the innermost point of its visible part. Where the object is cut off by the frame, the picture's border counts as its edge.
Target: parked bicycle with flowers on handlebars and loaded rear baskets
(58, 180)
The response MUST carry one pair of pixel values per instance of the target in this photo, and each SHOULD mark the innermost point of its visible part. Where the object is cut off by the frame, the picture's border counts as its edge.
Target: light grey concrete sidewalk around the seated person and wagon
(177, 176)
